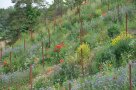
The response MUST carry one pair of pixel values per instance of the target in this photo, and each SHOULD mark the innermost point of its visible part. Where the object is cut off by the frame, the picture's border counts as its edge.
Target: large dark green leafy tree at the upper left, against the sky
(24, 18)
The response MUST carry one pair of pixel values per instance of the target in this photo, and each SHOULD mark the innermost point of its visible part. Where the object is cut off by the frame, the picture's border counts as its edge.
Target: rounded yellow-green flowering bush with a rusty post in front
(85, 50)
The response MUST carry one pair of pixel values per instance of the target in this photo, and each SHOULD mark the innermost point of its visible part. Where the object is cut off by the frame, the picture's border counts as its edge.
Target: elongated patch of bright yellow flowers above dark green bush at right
(120, 37)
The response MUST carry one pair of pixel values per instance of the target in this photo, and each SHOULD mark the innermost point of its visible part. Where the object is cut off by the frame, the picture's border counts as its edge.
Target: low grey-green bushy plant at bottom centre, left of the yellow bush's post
(68, 71)
